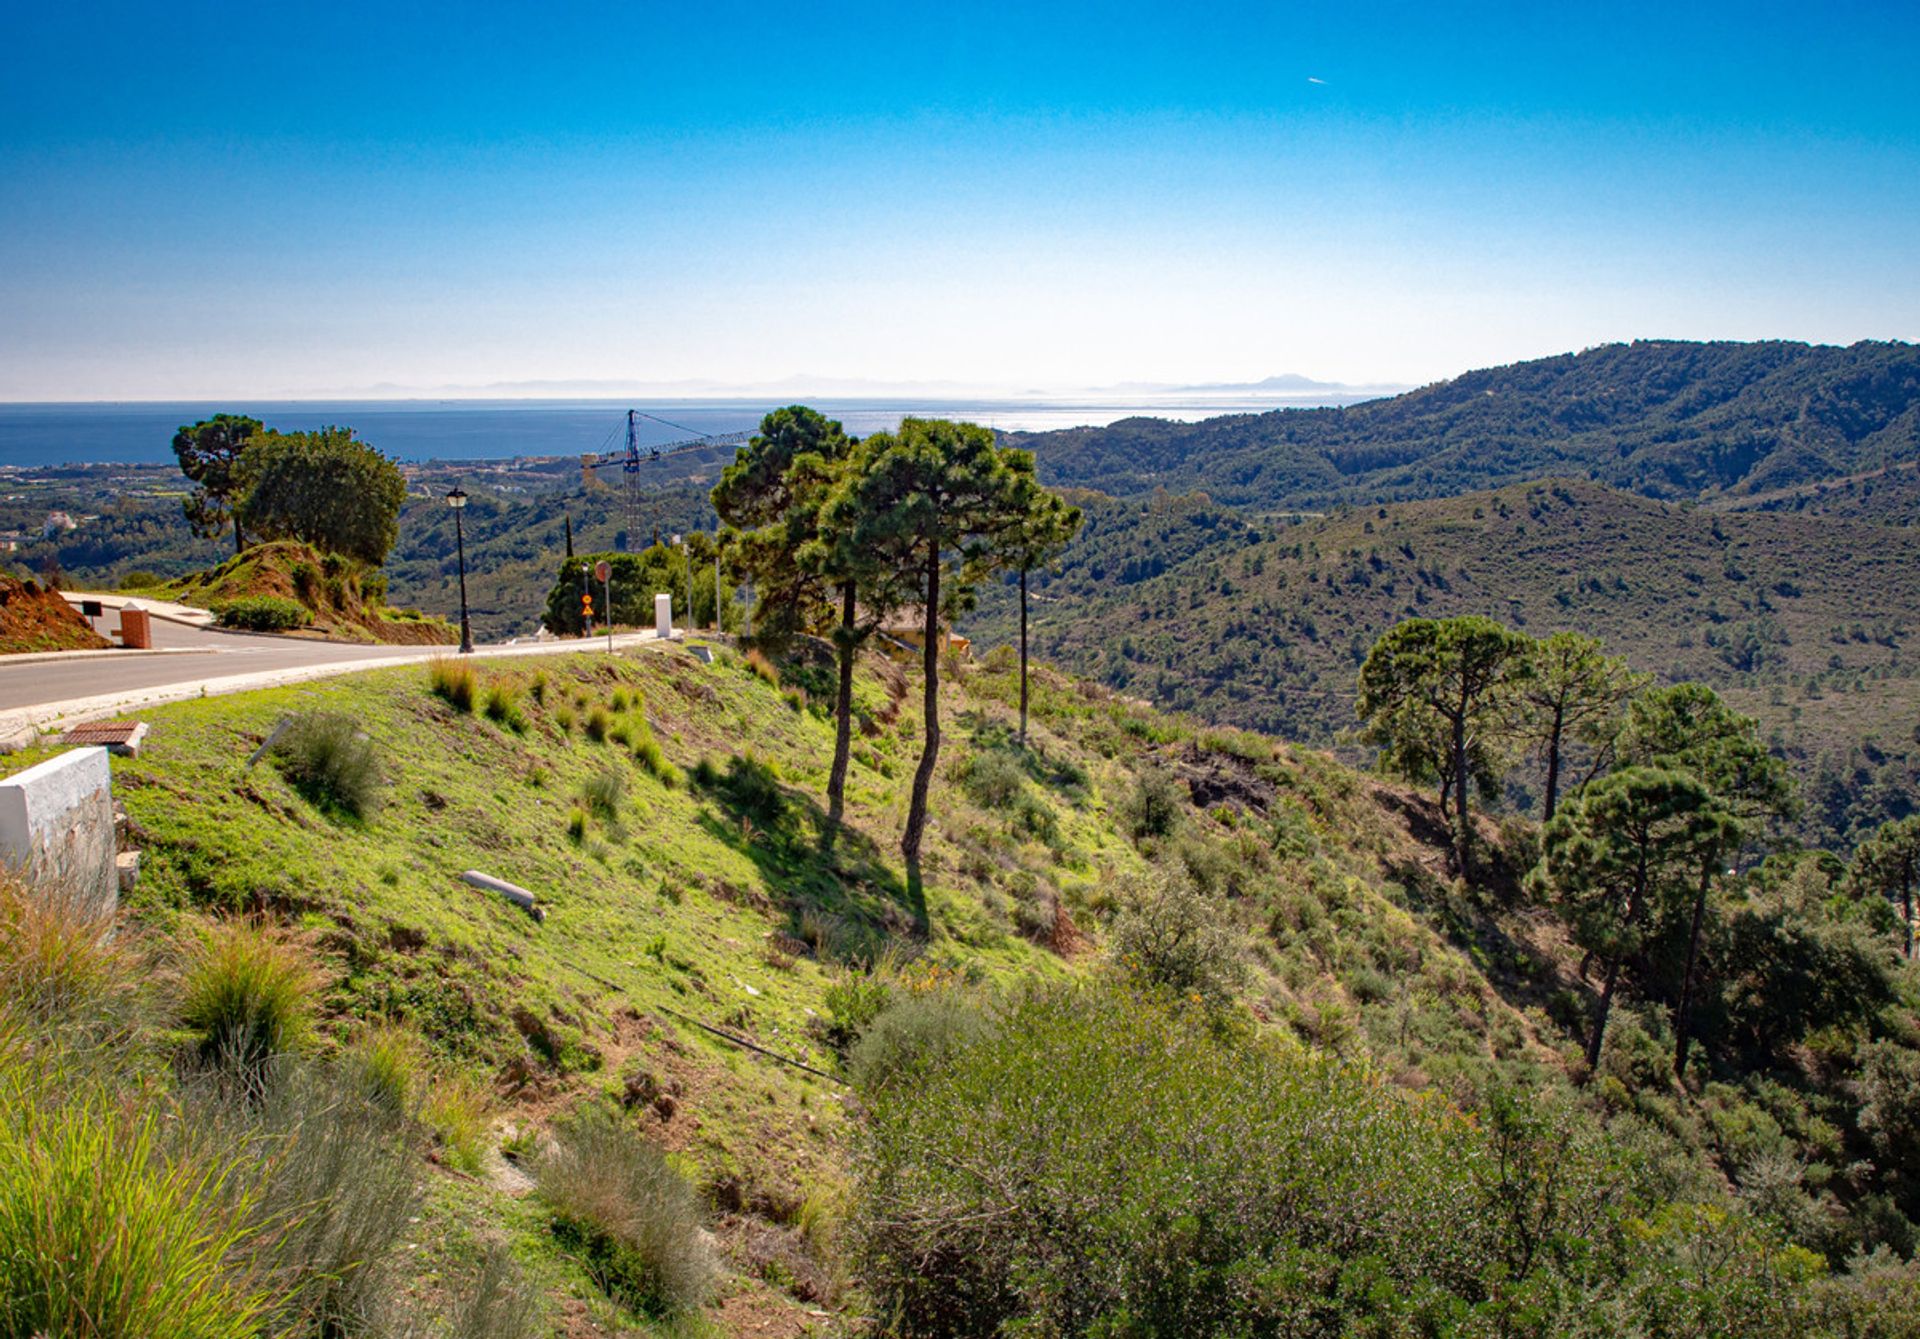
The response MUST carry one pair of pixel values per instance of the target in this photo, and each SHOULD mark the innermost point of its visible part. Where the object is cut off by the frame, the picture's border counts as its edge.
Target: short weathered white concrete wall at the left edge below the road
(57, 823)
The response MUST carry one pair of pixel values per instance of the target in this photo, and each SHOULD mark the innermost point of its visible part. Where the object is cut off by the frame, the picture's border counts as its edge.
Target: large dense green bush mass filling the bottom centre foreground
(1103, 1163)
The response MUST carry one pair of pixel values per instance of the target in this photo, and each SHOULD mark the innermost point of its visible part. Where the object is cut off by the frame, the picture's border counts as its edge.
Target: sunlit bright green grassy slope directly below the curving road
(692, 908)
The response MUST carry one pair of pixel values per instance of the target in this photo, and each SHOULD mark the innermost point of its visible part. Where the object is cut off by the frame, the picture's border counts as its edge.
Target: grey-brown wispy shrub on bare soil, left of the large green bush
(631, 1215)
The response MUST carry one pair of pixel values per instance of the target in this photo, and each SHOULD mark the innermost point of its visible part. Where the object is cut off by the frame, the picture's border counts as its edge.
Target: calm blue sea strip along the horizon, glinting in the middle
(500, 429)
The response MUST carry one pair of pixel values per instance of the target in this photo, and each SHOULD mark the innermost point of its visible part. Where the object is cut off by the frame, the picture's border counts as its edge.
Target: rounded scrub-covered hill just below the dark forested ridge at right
(1272, 635)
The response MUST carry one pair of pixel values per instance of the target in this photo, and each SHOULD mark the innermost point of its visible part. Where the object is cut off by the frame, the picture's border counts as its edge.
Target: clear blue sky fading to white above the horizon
(268, 199)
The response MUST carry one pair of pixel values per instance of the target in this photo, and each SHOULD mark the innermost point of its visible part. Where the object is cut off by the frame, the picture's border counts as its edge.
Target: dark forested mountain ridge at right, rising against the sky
(1662, 418)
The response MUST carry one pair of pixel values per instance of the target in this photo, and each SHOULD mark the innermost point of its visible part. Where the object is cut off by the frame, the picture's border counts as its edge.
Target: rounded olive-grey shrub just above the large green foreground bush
(1176, 938)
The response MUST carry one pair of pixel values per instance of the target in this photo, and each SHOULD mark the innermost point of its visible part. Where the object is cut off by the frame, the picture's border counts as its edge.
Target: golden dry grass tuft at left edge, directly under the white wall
(57, 958)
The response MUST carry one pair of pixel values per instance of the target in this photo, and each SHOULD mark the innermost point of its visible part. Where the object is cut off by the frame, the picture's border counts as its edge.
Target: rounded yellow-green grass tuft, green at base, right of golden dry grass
(245, 992)
